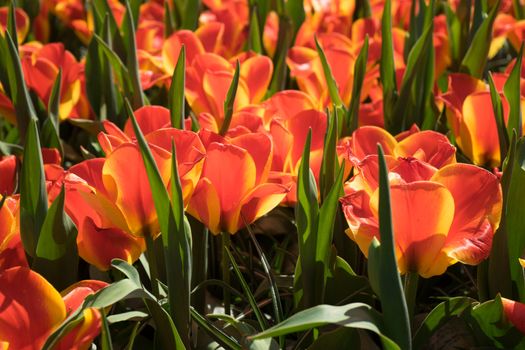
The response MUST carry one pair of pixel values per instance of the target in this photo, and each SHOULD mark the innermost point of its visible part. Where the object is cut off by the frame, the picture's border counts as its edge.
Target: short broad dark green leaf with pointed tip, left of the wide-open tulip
(56, 252)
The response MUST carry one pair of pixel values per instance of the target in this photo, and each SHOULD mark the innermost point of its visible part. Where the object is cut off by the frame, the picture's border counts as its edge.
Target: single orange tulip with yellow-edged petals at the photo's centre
(233, 188)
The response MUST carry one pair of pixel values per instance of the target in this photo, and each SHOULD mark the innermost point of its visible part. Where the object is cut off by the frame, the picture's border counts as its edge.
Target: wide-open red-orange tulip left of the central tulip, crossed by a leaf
(117, 207)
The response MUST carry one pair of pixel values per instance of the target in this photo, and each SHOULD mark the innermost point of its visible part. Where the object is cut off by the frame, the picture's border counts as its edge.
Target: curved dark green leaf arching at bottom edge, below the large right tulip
(439, 316)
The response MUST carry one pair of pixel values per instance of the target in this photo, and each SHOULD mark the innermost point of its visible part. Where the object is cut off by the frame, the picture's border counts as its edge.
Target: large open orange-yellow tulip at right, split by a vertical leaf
(439, 217)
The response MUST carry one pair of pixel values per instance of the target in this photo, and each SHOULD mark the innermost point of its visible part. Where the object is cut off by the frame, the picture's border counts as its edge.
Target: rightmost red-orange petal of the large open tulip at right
(477, 197)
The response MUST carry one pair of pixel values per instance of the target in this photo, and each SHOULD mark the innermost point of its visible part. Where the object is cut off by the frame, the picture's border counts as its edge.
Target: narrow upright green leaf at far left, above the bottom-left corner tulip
(33, 195)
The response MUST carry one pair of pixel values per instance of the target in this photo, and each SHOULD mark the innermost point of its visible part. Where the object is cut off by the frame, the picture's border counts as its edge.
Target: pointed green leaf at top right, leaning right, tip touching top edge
(476, 57)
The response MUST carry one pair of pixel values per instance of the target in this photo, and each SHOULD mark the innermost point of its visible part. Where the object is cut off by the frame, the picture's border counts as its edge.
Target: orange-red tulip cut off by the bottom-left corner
(32, 309)
